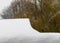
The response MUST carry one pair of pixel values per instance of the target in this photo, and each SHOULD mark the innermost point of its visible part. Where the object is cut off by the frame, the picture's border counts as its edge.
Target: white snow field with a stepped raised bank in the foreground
(20, 31)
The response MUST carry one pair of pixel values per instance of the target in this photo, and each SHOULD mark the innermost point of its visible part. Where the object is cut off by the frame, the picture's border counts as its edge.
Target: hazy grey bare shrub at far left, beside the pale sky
(8, 13)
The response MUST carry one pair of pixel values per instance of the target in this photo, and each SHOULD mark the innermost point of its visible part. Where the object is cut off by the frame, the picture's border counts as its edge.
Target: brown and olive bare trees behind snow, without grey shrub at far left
(43, 14)
